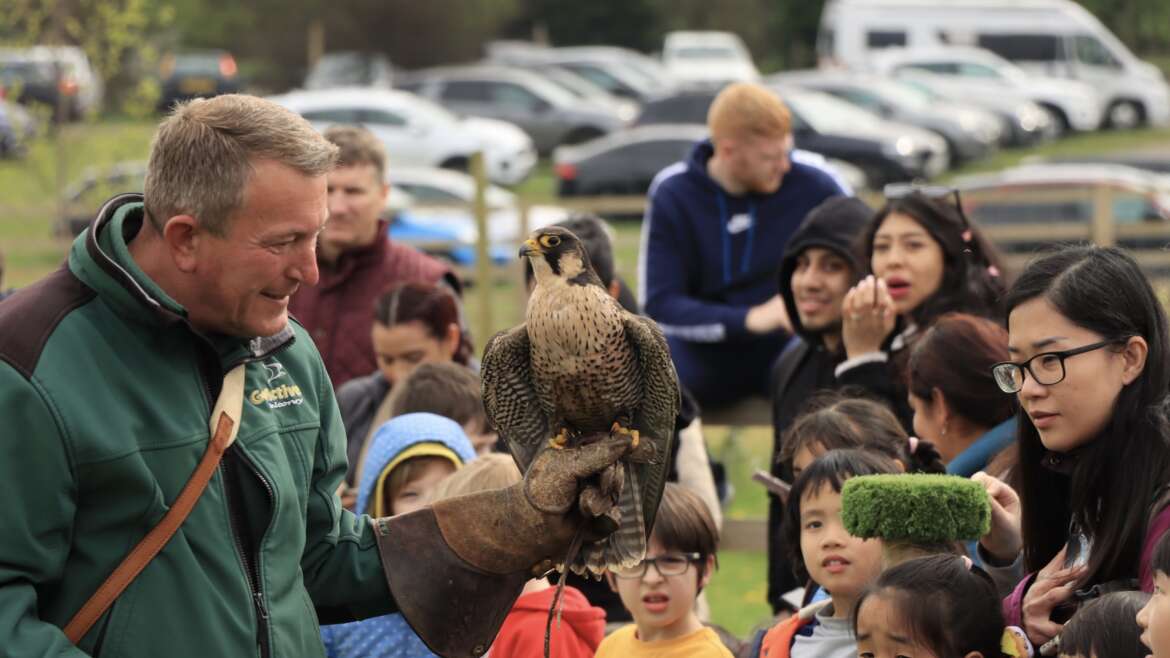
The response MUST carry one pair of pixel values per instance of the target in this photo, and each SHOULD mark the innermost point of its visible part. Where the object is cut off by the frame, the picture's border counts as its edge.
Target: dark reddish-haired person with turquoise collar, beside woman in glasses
(956, 403)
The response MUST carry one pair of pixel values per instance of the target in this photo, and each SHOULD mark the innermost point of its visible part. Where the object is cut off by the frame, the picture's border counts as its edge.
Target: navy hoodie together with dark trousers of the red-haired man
(708, 257)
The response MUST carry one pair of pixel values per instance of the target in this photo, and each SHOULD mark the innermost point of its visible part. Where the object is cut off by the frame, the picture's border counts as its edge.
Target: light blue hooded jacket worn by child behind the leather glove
(390, 636)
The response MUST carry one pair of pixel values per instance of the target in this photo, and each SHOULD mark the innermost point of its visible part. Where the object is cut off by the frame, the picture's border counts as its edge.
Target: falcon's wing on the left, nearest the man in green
(511, 399)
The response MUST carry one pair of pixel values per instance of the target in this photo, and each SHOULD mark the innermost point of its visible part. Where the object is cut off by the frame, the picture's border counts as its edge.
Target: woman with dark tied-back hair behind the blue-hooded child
(415, 324)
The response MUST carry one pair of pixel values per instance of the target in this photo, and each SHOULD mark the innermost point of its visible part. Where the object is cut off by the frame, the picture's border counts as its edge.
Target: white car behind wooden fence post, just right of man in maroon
(450, 196)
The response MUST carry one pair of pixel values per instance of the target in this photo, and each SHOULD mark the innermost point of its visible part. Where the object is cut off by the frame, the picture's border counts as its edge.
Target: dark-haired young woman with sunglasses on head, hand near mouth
(926, 261)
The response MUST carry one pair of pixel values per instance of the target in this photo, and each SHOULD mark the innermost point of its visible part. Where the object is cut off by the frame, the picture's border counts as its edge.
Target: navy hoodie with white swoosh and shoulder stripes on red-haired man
(708, 257)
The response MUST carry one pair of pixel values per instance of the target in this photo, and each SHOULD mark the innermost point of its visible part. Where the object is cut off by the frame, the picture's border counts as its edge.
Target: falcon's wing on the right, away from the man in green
(657, 415)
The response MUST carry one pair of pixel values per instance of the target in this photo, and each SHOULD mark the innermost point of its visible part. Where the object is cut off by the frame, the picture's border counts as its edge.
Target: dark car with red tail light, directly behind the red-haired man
(627, 162)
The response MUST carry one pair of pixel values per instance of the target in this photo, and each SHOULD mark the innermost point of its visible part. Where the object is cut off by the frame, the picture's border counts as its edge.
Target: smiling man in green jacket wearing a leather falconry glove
(109, 369)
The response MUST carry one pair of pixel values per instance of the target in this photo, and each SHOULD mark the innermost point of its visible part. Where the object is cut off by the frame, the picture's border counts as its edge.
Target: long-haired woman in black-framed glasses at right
(1088, 344)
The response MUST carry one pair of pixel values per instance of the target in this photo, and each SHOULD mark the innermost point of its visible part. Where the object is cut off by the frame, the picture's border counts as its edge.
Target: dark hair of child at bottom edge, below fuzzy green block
(945, 605)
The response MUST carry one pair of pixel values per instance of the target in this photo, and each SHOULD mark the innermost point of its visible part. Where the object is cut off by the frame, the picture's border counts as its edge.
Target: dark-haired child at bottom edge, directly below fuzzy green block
(935, 607)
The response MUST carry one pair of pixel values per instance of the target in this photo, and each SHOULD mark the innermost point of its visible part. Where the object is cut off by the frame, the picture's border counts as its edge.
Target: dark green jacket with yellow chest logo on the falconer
(106, 393)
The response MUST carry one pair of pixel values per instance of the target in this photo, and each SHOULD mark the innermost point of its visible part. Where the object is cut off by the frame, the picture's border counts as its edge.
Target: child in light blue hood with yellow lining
(410, 455)
